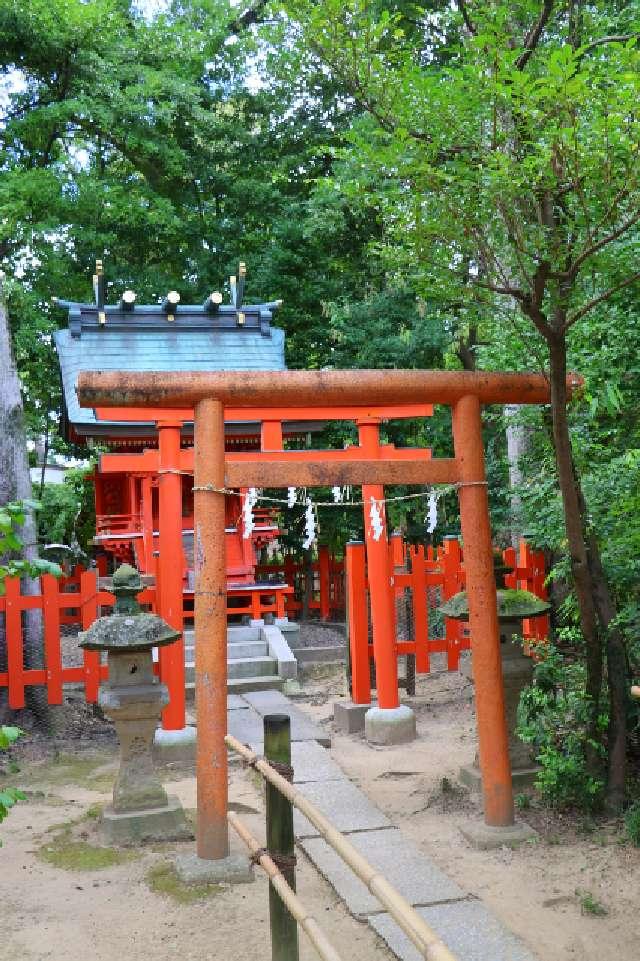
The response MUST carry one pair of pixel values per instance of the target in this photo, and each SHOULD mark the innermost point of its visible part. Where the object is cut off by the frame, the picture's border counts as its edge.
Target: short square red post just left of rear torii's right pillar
(357, 622)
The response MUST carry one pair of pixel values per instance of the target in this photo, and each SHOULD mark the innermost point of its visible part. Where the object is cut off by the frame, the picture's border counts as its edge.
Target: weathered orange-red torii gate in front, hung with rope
(208, 394)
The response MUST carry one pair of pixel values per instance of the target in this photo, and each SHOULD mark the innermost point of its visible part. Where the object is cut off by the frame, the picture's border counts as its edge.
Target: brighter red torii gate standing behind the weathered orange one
(169, 461)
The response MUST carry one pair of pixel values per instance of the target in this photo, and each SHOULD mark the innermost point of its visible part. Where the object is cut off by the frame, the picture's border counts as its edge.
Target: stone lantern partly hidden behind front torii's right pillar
(517, 668)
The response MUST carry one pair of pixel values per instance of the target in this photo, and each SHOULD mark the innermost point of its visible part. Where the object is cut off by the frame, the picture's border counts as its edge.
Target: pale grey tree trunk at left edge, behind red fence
(15, 484)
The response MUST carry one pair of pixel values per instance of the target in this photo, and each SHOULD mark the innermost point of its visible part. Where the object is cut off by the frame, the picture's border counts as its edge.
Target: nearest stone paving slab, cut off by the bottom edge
(470, 931)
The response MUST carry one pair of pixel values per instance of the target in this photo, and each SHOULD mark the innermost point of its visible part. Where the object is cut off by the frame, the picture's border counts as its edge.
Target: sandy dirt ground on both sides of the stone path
(62, 895)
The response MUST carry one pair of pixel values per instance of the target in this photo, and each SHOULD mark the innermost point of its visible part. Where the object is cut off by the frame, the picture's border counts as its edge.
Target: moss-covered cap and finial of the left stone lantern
(129, 628)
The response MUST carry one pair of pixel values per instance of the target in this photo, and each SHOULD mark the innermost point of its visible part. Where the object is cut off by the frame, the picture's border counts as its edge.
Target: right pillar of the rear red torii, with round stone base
(389, 722)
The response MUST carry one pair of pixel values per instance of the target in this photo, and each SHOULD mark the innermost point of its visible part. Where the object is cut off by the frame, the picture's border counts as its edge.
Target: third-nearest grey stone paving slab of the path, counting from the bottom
(346, 807)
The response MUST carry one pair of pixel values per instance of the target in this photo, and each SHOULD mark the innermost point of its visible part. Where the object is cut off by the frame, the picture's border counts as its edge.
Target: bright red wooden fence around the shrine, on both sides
(423, 578)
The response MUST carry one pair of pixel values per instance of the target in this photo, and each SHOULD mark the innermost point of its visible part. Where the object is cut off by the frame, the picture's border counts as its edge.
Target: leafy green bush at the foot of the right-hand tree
(553, 715)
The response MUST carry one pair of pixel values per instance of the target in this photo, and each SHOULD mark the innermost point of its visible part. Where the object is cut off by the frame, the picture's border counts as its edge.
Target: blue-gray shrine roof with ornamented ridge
(145, 340)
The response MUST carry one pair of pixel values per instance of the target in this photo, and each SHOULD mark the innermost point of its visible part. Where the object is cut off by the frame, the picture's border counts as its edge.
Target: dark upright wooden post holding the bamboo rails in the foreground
(280, 839)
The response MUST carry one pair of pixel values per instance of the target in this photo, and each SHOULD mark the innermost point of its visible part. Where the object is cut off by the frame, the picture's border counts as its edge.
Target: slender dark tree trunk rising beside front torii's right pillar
(594, 598)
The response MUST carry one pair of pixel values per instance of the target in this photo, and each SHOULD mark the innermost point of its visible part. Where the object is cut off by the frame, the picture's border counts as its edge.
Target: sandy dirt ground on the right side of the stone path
(543, 891)
